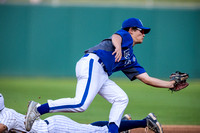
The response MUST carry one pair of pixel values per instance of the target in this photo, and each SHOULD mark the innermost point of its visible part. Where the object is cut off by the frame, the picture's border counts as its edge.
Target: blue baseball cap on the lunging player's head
(135, 22)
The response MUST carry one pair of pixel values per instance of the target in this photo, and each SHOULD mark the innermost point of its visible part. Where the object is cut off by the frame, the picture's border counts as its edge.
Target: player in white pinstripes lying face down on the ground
(12, 121)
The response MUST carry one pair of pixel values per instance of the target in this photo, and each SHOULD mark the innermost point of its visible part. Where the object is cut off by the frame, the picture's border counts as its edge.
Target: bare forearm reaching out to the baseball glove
(145, 78)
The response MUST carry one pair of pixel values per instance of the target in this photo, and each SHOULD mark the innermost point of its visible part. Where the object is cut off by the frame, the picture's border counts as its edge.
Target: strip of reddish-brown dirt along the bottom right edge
(173, 129)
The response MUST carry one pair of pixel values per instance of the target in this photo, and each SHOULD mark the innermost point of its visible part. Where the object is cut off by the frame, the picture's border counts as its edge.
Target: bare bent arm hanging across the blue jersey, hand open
(117, 40)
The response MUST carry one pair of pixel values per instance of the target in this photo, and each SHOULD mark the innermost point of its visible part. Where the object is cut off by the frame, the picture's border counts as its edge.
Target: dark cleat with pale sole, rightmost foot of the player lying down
(153, 124)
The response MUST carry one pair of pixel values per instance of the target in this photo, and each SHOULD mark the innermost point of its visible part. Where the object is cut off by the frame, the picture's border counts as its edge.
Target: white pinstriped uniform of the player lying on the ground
(54, 124)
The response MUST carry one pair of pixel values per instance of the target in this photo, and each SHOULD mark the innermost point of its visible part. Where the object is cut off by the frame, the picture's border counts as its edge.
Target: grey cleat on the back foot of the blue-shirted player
(32, 115)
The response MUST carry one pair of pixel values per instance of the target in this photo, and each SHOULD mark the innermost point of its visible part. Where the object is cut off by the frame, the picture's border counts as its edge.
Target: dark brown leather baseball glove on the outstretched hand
(180, 80)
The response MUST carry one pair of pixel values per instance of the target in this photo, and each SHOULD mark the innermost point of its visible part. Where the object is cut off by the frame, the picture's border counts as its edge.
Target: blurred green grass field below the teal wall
(171, 108)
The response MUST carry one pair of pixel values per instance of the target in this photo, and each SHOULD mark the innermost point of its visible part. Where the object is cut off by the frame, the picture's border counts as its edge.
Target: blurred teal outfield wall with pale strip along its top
(47, 37)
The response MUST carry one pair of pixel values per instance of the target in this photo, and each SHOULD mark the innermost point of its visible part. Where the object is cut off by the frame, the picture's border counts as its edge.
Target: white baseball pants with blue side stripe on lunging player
(92, 80)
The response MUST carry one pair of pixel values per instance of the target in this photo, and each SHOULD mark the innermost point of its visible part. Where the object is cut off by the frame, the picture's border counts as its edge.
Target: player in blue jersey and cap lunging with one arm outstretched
(93, 71)
